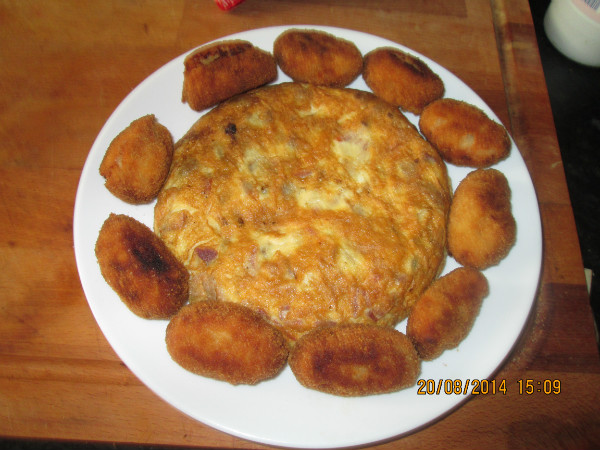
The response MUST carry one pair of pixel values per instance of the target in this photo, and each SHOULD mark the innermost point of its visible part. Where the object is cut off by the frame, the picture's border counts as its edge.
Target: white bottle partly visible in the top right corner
(573, 27)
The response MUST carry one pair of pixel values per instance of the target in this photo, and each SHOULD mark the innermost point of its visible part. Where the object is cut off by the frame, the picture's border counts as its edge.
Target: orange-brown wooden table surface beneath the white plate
(64, 67)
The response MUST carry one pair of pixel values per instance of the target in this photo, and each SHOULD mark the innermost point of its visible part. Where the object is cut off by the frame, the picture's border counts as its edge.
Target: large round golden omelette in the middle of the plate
(310, 205)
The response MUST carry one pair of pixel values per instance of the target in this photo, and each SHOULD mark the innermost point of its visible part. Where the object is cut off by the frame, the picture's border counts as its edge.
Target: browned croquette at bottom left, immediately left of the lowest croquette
(225, 341)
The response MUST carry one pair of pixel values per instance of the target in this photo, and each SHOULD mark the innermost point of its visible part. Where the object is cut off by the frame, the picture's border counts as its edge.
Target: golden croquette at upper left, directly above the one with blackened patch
(137, 161)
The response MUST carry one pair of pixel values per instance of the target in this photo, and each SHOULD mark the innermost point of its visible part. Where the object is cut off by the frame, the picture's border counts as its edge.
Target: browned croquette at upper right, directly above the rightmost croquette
(463, 134)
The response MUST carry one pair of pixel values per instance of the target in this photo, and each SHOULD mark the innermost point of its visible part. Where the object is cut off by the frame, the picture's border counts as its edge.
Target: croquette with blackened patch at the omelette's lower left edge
(140, 268)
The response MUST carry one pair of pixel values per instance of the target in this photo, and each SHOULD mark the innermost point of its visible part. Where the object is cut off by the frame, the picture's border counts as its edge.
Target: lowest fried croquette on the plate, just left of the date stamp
(355, 360)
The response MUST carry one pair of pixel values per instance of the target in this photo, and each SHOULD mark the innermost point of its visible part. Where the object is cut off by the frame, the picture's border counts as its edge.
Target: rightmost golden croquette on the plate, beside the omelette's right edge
(481, 227)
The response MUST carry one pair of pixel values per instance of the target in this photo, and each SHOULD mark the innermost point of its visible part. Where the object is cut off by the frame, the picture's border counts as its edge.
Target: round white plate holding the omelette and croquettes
(280, 411)
